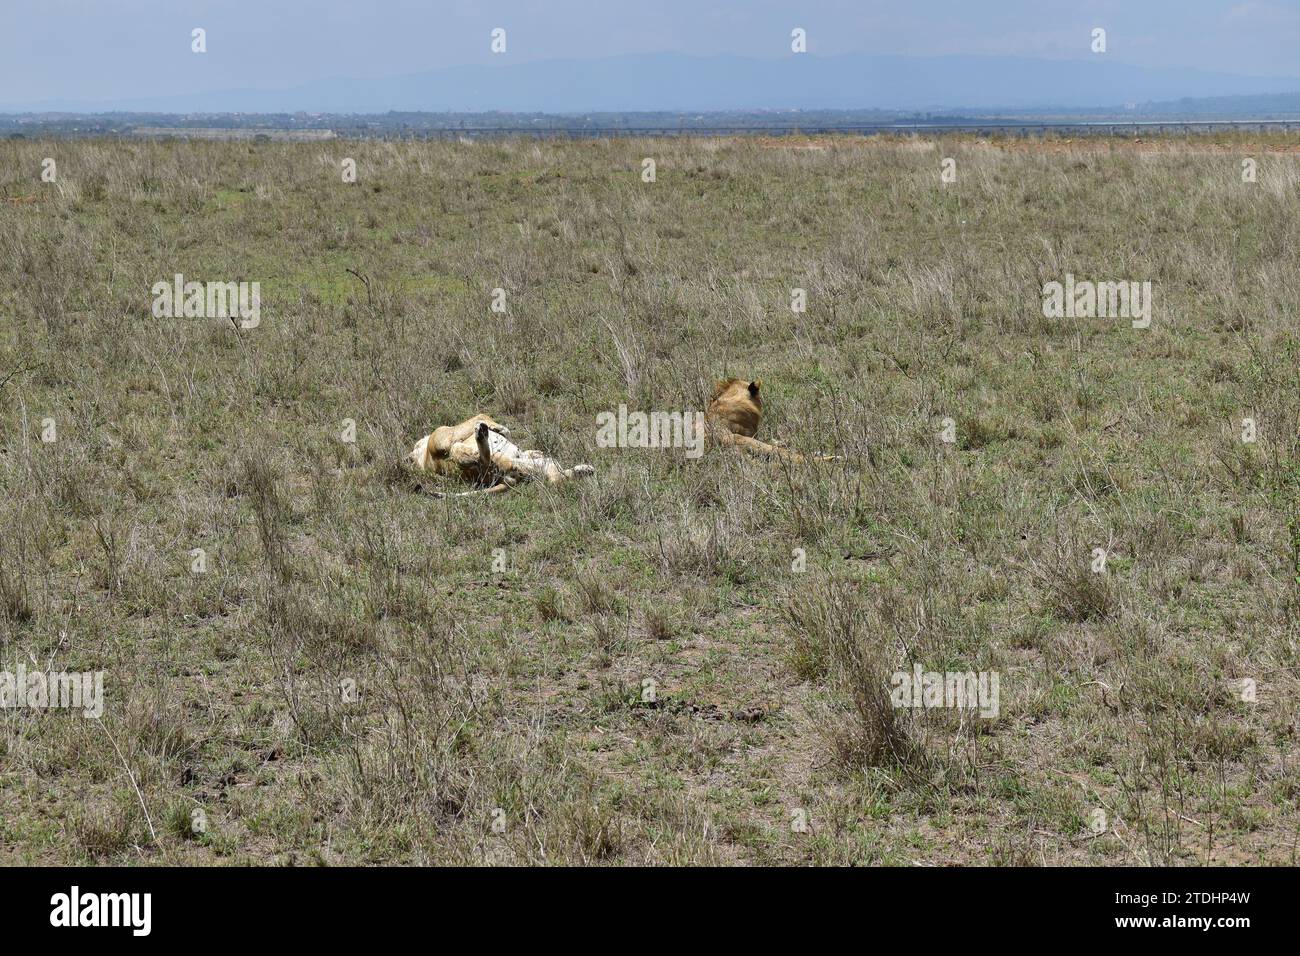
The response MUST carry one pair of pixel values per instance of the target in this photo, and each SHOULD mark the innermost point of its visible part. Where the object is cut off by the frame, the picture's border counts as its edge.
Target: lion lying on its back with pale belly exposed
(480, 453)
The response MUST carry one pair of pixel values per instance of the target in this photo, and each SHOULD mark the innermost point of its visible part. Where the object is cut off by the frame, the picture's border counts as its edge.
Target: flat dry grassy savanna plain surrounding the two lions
(678, 661)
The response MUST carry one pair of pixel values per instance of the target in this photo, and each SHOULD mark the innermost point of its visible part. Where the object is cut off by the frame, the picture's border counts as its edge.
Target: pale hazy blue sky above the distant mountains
(107, 49)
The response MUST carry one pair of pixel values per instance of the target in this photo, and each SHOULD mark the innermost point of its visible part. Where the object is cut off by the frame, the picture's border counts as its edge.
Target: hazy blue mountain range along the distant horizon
(678, 83)
